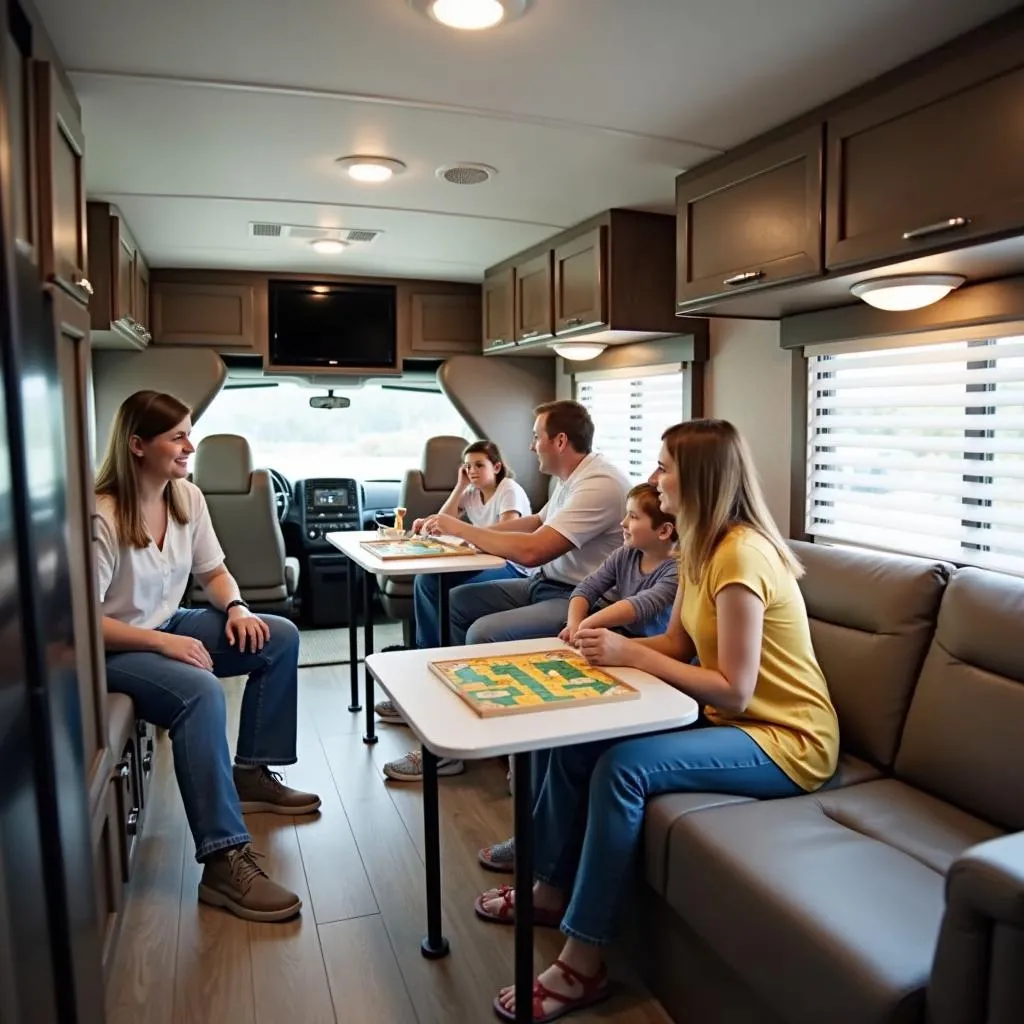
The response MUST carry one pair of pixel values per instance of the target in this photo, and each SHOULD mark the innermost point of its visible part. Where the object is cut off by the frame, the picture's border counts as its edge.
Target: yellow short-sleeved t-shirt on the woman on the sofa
(790, 716)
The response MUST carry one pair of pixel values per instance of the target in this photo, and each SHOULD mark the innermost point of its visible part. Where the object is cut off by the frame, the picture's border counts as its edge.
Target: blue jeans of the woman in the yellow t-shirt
(588, 821)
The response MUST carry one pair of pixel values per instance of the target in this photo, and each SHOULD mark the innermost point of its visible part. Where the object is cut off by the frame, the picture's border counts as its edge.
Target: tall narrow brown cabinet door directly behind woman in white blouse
(74, 362)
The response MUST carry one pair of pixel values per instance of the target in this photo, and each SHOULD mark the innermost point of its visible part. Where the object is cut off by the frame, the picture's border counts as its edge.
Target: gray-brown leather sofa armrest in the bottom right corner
(977, 976)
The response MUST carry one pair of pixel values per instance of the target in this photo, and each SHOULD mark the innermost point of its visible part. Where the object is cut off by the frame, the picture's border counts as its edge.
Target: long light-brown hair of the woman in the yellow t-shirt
(718, 490)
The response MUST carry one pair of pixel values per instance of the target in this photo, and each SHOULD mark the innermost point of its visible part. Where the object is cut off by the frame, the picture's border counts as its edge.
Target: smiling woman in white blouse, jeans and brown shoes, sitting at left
(153, 531)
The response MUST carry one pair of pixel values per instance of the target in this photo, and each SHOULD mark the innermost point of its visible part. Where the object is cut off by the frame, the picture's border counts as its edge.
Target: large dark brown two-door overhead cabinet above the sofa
(927, 161)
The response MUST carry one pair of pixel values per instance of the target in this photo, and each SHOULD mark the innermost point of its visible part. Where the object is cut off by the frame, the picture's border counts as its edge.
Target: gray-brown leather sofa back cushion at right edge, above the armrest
(963, 736)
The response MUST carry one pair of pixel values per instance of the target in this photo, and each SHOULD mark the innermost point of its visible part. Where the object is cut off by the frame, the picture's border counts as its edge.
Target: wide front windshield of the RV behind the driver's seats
(377, 439)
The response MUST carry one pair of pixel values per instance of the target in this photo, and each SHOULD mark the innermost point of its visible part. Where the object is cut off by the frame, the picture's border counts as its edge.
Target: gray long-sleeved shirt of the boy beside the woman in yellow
(621, 579)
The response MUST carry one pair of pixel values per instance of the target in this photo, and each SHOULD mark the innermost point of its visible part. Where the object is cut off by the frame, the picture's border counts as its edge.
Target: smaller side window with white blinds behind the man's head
(631, 410)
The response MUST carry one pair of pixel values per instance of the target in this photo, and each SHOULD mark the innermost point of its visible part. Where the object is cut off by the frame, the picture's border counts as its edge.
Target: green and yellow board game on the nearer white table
(514, 684)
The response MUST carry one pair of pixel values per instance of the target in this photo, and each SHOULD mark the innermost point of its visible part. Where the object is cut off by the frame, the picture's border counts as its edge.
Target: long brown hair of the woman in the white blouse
(145, 415)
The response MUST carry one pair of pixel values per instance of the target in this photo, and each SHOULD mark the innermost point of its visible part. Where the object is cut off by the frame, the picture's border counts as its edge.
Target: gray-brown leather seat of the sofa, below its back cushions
(828, 906)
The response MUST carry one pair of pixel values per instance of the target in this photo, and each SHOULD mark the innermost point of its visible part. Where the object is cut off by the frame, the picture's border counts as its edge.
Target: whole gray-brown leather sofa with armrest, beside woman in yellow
(895, 894)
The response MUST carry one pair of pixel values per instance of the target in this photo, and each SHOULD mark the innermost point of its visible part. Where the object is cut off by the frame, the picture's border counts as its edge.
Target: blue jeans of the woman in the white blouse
(190, 703)
